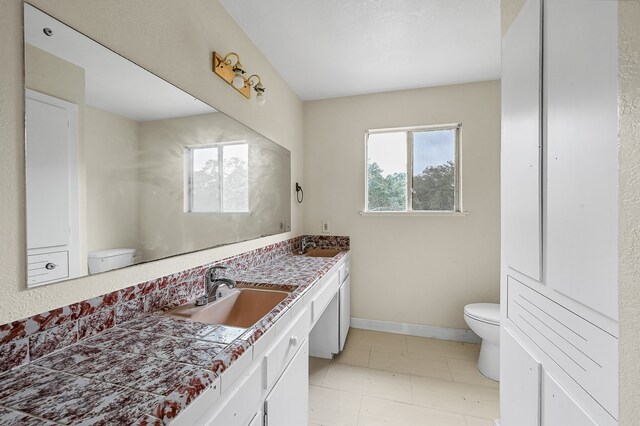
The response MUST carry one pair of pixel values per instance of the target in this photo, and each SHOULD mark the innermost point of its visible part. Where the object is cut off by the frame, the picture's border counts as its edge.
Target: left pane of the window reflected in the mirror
(205, 181)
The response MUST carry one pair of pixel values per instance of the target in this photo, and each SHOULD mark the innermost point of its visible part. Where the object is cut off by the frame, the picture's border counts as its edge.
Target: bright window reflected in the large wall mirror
(218, 178)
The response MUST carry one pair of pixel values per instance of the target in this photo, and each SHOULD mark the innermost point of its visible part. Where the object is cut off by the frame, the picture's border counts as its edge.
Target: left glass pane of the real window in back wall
(387, 171)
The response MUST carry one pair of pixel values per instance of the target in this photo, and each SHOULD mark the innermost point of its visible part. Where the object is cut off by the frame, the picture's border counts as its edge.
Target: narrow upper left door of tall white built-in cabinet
(521, 143)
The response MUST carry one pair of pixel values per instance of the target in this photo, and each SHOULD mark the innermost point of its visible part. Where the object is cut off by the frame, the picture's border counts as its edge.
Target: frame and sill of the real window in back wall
(457, 203)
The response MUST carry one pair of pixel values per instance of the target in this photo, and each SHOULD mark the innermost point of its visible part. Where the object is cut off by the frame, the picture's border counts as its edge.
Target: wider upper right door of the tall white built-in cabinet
(580, 75)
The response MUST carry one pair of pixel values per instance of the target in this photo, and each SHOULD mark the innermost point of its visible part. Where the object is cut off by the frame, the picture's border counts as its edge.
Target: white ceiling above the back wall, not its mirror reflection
(332, 48)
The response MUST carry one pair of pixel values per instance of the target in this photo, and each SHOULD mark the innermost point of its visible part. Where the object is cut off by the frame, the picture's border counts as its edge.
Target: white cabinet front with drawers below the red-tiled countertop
(268, 385)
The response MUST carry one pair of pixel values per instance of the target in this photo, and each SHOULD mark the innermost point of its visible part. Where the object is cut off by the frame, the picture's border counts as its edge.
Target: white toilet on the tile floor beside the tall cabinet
(484, 320)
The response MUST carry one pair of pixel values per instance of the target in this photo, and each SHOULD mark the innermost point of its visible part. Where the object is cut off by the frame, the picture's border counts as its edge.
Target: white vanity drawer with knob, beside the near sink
(286, 346)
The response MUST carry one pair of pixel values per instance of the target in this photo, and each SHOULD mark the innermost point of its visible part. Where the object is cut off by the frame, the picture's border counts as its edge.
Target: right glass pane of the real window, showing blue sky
(434, 170)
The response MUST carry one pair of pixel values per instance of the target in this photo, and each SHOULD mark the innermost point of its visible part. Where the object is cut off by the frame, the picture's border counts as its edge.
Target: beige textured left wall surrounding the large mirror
(173, 40)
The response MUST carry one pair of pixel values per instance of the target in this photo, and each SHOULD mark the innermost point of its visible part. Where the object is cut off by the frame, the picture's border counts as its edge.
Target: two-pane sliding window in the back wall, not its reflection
(414, 169)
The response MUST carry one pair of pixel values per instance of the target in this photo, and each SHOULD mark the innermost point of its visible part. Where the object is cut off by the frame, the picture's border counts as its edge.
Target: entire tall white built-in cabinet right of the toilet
(559, 337)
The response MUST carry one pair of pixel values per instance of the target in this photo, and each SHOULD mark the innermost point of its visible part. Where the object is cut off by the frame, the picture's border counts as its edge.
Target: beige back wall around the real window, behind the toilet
(418, 269)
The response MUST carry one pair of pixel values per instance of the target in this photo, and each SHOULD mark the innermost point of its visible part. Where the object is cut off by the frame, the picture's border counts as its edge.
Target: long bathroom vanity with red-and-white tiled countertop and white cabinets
(133, 357)
